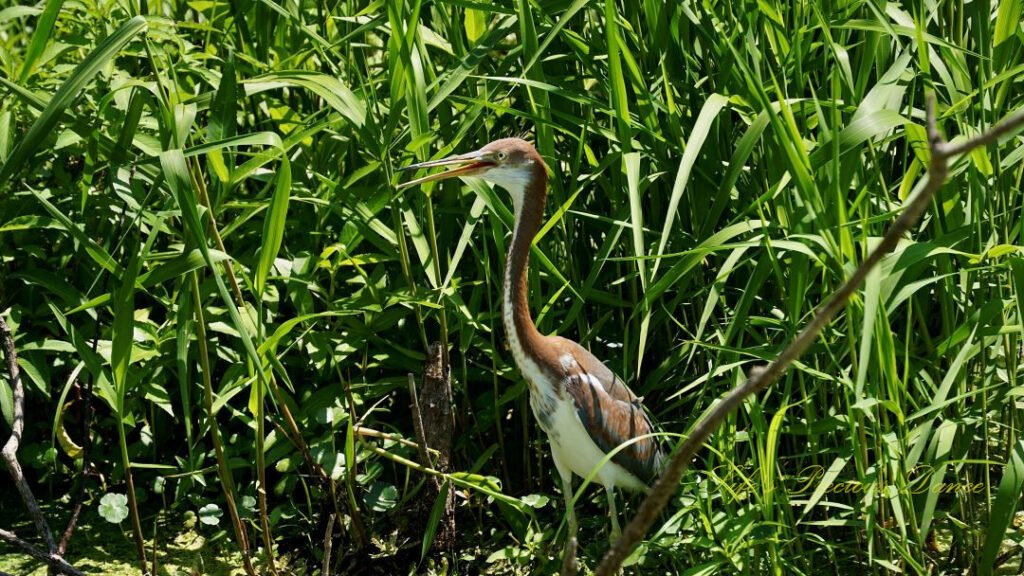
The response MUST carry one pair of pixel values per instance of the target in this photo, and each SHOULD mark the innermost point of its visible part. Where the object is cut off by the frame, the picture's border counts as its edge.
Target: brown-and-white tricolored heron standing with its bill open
(584, 408)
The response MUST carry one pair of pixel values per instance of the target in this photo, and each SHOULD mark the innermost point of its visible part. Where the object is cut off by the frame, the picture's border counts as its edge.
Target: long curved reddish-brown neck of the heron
(529, 203)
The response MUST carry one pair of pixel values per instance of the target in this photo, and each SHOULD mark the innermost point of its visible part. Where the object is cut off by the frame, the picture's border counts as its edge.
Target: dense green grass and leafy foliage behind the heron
(718, 169)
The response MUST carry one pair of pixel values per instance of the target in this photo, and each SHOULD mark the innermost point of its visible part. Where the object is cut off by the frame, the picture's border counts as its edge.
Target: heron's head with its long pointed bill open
(510, 163)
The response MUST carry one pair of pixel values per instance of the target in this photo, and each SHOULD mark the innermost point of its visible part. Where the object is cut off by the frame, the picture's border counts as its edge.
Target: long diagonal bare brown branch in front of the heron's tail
(762, 378)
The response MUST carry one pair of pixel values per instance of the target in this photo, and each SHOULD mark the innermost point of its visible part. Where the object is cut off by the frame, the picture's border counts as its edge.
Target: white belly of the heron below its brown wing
(575, 451)
